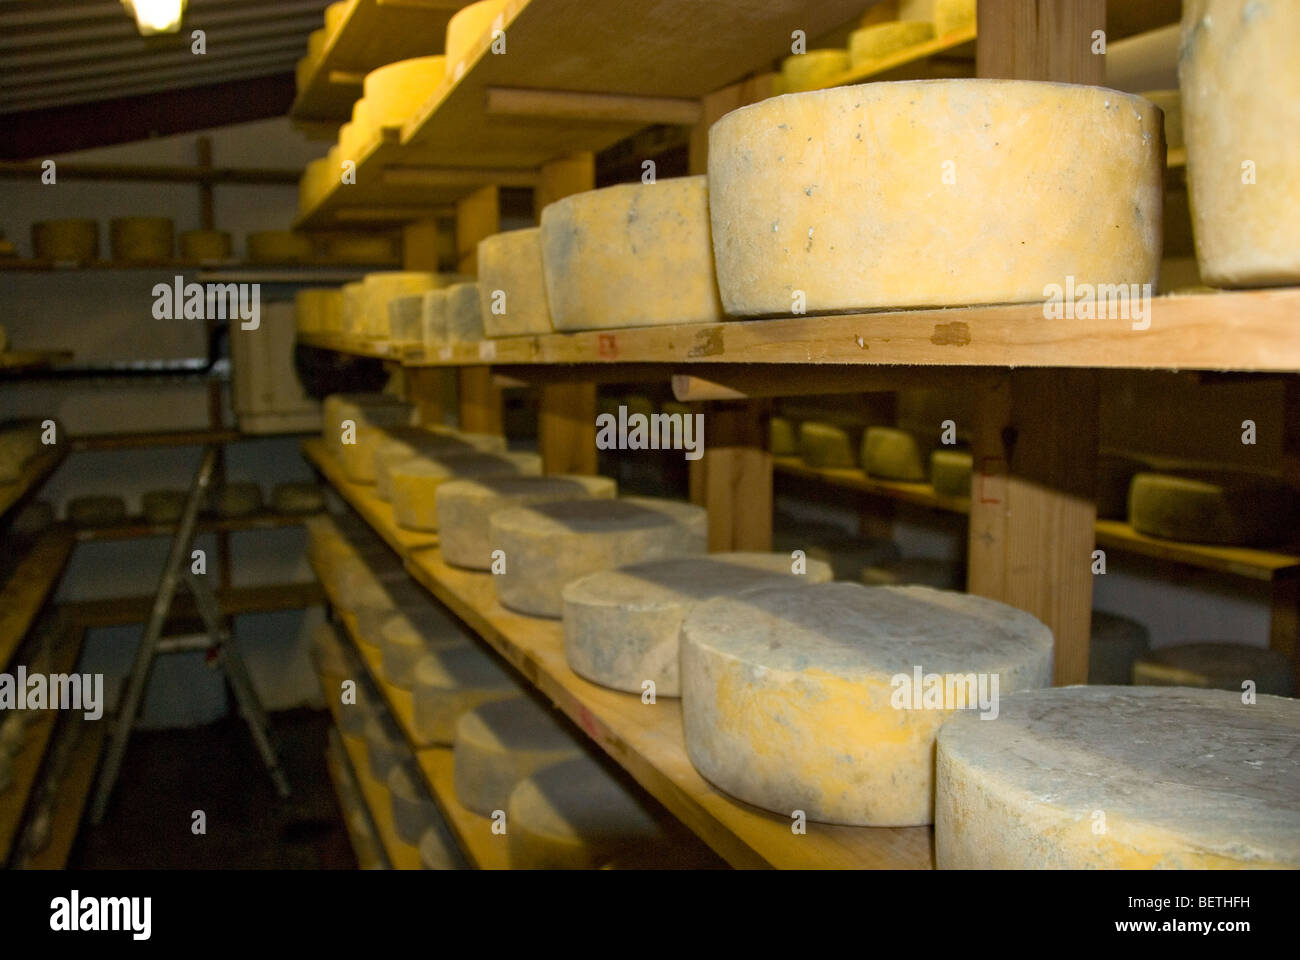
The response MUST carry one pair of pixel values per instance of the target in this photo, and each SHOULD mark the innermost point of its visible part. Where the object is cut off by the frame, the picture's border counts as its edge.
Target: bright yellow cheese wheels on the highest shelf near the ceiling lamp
(393, 94)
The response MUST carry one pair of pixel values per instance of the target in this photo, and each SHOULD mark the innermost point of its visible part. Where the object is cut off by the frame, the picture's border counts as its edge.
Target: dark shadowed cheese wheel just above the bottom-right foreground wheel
(1220, 667)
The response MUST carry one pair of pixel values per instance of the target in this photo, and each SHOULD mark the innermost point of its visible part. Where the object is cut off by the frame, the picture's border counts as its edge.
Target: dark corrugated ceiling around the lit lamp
(63, 53)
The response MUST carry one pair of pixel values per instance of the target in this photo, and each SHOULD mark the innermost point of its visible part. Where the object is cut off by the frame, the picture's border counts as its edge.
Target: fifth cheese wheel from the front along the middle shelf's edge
(466, 507)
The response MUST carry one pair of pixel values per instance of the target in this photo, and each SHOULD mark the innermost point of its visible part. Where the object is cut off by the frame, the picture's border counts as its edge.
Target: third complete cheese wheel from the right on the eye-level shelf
(513, 284)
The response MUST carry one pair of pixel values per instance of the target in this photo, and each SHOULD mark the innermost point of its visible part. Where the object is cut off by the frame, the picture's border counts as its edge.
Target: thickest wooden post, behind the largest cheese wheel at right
(1033, 496)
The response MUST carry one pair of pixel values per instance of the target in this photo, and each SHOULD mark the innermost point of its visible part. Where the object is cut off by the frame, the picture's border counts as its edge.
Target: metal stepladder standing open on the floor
(216, 641)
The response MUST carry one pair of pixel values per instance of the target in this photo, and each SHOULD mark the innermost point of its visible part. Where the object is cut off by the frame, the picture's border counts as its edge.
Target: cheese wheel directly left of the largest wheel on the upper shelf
(631, 256)
